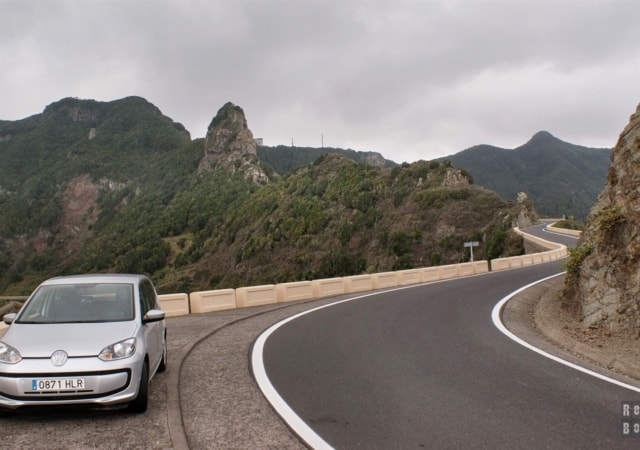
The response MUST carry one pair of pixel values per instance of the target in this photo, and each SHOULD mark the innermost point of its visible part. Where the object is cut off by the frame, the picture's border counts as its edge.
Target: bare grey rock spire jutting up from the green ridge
(229, 145)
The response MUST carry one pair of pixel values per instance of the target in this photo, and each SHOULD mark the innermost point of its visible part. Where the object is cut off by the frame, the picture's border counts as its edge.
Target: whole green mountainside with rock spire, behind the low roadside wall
(91, 186)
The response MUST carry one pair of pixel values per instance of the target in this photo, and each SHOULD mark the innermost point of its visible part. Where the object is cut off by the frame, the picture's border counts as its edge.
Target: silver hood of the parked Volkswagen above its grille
(77, 339)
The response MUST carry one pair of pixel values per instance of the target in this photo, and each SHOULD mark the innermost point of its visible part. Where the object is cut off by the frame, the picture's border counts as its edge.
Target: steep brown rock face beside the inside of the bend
(603, 282)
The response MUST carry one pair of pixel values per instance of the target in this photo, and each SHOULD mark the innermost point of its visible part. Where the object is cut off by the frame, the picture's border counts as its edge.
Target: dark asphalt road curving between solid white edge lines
(425, 367)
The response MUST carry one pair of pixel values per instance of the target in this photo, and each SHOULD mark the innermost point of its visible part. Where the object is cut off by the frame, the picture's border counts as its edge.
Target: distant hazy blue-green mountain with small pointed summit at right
(561, 179)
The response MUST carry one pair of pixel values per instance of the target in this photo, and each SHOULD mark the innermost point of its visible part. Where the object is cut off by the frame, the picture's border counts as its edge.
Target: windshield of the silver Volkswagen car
(79, 303)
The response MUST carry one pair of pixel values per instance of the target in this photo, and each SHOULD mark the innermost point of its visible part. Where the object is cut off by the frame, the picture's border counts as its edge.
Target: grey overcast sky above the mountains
(411, 79)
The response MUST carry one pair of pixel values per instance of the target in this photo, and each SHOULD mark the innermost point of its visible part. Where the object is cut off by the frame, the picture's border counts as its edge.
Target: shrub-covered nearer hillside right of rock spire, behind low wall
(337, 217)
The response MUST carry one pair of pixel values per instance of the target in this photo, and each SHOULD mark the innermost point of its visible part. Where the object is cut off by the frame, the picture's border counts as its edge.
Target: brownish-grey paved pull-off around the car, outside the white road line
(206, 399)
